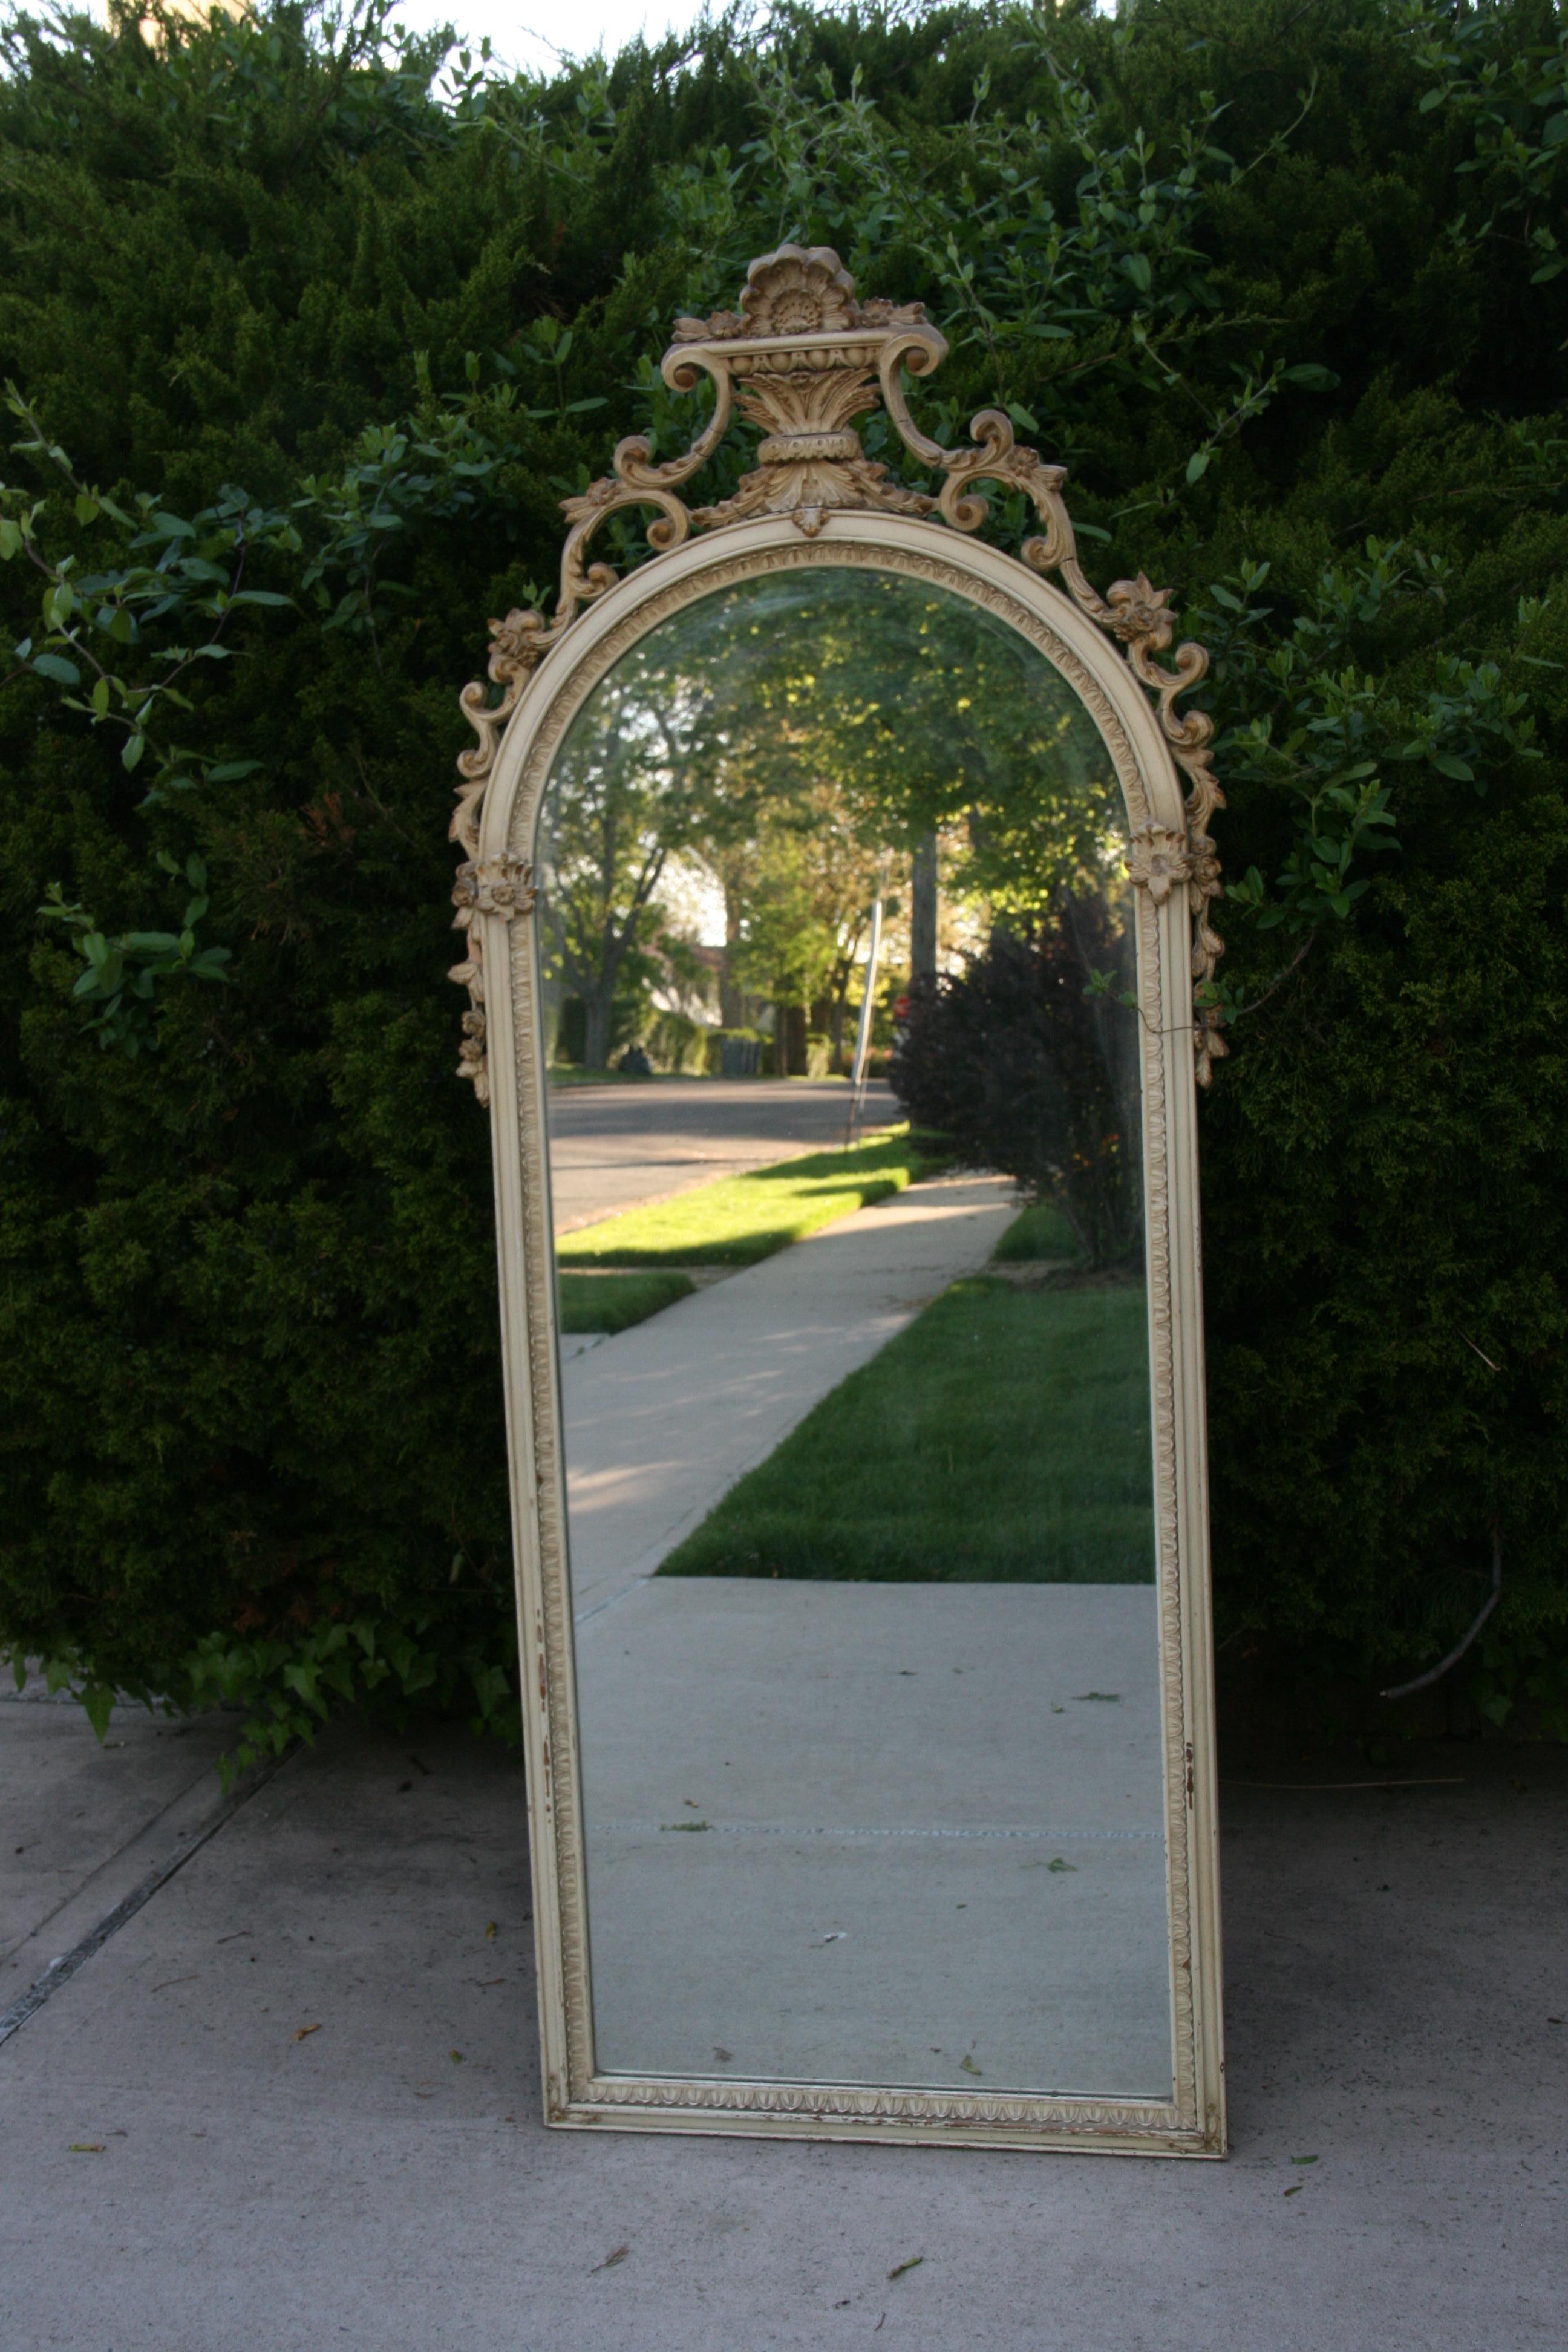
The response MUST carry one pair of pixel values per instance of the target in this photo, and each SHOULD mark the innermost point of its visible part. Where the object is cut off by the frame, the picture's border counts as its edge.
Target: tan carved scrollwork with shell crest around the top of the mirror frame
(803, 359)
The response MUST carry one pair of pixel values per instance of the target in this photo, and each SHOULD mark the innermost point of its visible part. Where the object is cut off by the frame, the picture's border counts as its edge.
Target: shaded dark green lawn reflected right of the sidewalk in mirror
(1000, 1438)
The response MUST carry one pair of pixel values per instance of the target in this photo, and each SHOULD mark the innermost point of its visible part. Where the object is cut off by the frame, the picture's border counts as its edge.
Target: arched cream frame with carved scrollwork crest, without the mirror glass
(803, 359)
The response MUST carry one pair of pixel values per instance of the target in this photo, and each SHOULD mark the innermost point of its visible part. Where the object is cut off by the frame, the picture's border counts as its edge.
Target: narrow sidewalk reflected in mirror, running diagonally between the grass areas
(664, 1419)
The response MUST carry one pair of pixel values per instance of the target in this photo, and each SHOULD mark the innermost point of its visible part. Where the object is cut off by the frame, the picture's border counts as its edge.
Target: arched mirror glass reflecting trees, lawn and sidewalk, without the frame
(838, 975)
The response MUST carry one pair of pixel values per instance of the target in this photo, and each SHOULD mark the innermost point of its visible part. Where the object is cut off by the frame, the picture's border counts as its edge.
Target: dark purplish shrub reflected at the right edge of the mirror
(1033, 1076)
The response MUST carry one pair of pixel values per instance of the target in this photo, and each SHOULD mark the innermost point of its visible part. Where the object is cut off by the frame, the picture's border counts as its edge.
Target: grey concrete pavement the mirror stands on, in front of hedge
(295, 2102)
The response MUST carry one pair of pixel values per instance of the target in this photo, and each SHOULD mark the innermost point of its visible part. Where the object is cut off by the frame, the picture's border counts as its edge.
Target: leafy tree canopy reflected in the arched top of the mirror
(800, 737)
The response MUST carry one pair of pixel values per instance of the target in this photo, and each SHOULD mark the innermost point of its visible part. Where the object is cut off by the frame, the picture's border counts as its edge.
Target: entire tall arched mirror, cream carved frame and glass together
(859, 1492)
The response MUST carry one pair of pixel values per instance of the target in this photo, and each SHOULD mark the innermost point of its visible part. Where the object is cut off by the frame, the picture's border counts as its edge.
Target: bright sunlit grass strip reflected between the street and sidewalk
(744, 1220)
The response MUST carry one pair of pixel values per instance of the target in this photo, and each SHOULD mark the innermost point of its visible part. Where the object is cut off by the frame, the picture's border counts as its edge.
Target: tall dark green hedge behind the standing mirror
(1280, 283)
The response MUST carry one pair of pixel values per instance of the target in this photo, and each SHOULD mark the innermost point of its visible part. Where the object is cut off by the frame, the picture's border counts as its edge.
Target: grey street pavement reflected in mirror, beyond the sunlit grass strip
(615, 1147)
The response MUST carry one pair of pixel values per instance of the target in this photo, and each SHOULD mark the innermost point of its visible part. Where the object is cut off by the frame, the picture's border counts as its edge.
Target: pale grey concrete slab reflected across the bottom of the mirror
(916, 1847)
